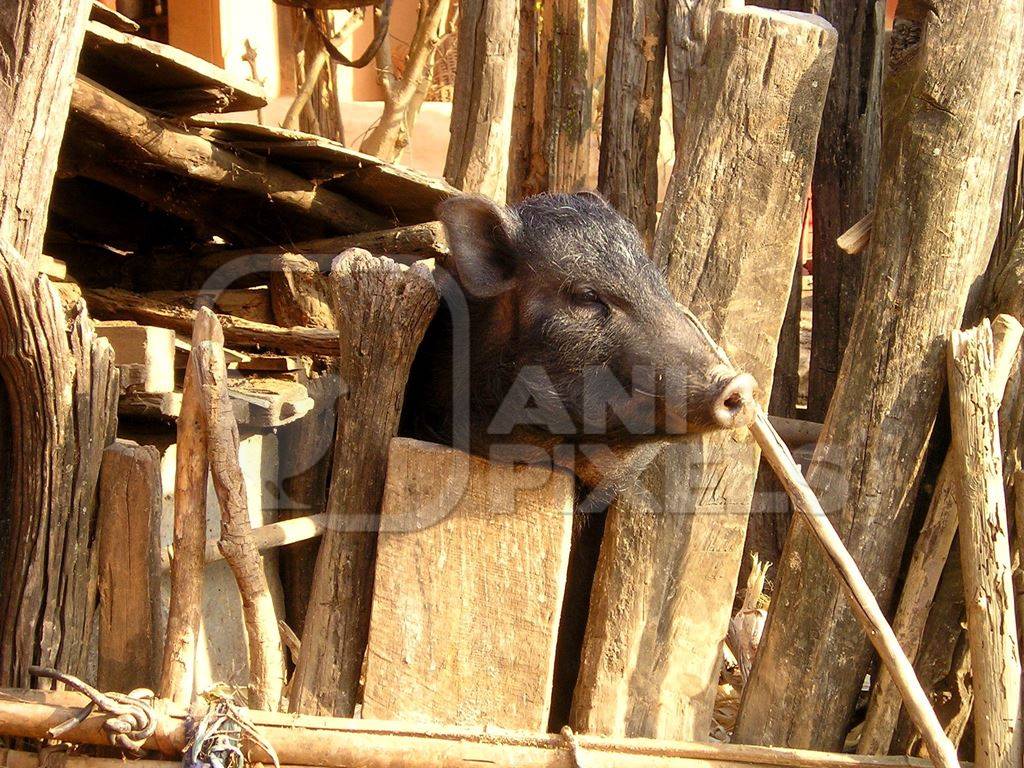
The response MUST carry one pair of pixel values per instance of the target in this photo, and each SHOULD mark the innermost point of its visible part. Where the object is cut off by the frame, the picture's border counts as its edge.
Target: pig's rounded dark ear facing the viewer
(482, 237)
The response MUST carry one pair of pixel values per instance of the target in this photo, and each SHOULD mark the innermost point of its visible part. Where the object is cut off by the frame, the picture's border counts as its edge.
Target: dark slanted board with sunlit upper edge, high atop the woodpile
(161, 77)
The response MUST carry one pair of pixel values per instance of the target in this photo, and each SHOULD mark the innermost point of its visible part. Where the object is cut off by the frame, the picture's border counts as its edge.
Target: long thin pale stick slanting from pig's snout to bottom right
(866, 608)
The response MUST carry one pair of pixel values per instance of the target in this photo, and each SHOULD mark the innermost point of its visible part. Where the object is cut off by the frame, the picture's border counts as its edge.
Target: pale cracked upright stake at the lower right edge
(996, 663)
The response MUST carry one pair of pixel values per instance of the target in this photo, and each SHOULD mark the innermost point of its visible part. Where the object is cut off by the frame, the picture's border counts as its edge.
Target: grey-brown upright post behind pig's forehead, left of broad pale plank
(631, 126)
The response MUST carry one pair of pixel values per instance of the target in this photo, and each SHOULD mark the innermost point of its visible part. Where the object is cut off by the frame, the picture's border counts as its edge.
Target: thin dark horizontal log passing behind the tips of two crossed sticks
(117, 305)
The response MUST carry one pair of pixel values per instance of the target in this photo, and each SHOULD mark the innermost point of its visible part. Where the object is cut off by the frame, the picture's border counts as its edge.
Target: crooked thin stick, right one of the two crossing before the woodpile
(267, 658)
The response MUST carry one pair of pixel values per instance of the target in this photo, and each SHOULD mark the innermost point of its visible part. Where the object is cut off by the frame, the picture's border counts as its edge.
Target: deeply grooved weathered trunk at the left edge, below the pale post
(59, 414)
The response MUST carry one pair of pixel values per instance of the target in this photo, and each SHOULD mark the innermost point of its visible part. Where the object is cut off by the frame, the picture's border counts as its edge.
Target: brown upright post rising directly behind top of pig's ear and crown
(561, 117)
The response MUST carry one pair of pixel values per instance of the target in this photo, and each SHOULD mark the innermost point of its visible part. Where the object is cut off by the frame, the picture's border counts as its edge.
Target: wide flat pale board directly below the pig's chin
(466, 605)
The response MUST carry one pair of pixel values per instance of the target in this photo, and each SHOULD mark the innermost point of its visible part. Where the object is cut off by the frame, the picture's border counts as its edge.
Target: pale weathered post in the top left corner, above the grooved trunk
(40, 41)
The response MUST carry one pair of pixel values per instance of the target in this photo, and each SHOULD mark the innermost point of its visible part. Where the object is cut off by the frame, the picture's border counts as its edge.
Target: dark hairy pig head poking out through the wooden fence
(560, 335)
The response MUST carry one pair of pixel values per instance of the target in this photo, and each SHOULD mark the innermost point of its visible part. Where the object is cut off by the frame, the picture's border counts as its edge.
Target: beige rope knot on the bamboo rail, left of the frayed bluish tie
(131, 720)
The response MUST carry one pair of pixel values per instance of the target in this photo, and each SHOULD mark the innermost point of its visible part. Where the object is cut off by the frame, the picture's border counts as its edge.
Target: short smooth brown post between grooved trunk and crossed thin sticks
(130, 506)
